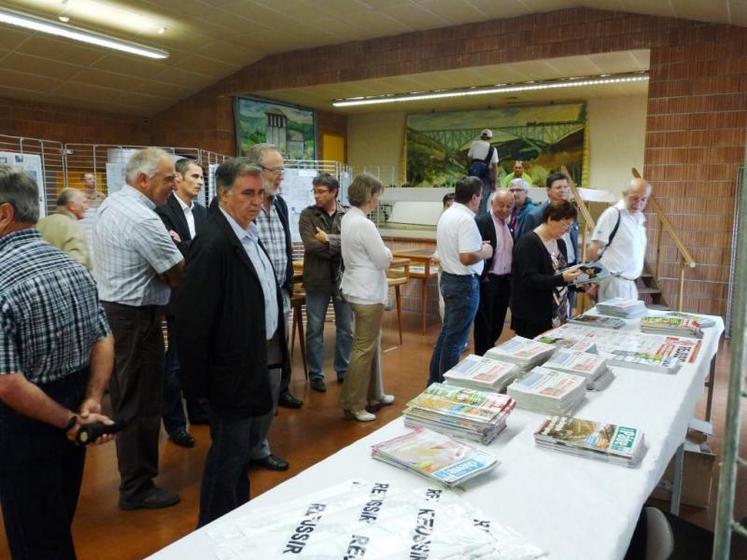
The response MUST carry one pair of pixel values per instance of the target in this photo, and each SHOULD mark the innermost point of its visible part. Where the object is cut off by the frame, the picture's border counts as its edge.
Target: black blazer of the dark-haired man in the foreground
(220, 321)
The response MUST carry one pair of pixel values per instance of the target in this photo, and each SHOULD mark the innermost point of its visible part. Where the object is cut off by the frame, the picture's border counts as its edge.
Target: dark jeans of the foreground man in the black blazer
(225, 481)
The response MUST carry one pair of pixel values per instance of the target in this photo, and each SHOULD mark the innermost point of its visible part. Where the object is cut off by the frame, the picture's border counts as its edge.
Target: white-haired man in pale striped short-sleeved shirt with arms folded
(136, 265)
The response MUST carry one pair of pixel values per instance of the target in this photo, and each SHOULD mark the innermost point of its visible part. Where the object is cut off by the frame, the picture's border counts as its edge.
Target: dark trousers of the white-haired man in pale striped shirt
(136, 391)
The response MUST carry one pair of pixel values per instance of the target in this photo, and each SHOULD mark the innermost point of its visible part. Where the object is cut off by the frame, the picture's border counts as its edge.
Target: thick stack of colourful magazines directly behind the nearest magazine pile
(459, 411)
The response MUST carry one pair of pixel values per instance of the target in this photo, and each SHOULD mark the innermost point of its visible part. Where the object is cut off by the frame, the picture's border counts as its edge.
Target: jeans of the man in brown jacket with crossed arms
(316, 312)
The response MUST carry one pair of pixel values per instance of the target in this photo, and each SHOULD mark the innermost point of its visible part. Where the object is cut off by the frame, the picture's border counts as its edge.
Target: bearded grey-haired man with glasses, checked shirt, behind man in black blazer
(274, 234)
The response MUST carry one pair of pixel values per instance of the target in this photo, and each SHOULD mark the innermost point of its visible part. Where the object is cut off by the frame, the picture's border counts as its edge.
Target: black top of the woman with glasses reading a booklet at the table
(533, 279)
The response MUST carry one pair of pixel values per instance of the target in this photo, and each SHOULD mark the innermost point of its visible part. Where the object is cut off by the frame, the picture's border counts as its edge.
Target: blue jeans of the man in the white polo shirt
(461, 298)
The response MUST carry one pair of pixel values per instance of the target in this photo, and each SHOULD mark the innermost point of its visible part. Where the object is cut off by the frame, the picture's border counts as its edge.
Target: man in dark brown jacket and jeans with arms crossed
(319, 226)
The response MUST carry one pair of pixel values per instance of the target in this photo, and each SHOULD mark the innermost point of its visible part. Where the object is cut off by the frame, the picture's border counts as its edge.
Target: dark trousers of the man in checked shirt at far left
(40, 478)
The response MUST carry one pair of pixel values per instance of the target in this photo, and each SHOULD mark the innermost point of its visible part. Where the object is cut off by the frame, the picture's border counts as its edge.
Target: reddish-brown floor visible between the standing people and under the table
(304, 437)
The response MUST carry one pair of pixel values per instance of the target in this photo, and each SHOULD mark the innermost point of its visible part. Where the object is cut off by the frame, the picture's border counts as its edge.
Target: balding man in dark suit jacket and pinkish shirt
(495, 281)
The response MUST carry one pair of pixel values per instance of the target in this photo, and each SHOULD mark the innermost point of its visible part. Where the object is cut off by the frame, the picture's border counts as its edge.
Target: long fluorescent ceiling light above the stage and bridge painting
(533, 85)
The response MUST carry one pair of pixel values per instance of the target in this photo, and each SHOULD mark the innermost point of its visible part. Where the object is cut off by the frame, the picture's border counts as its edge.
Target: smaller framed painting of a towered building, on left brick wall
(292, 129)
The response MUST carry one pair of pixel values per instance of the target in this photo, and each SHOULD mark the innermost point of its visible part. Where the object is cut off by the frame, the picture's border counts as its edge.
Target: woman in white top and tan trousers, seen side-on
(364, 285)
